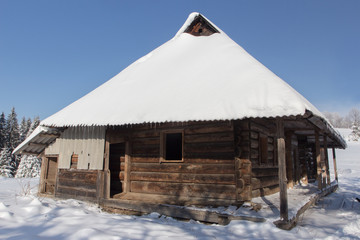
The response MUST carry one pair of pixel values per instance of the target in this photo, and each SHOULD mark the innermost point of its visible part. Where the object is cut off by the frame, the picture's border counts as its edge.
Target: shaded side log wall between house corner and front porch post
(257, 145)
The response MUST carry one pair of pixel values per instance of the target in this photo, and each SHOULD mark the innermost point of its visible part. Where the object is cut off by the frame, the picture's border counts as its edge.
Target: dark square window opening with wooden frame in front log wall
(171, 146)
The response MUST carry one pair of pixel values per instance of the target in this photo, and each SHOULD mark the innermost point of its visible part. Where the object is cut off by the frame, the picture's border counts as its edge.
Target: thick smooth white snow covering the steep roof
(187, 78)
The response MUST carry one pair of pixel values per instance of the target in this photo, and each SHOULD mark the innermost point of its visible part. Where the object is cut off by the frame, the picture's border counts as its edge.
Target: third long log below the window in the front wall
(178, 189)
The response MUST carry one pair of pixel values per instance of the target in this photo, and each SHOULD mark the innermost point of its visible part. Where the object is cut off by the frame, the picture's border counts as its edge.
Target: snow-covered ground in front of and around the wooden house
(25, 216)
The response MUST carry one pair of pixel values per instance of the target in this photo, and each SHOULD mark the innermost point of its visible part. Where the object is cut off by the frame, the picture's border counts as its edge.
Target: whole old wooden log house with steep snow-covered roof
(196, 121)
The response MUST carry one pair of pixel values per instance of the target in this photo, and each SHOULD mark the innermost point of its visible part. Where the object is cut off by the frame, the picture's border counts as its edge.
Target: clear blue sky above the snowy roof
(54, 52)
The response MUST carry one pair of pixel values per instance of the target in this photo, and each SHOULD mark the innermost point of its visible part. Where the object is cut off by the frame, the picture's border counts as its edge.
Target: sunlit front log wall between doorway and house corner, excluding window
(206, 170)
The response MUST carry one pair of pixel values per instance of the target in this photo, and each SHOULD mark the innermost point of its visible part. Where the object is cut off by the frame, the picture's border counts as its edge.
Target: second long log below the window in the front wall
(226, 179)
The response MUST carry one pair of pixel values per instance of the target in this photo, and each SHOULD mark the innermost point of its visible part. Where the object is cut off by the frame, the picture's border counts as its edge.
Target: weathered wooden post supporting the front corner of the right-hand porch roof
(282, 170)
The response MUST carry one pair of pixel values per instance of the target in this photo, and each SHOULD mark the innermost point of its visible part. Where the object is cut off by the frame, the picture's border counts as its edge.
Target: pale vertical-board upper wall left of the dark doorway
(86, 142)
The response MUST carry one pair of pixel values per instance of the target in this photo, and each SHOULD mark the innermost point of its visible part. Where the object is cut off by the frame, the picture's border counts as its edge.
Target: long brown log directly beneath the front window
(183, 168)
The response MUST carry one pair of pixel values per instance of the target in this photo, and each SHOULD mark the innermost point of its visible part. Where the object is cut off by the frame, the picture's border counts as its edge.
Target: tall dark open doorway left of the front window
(116, 167)
